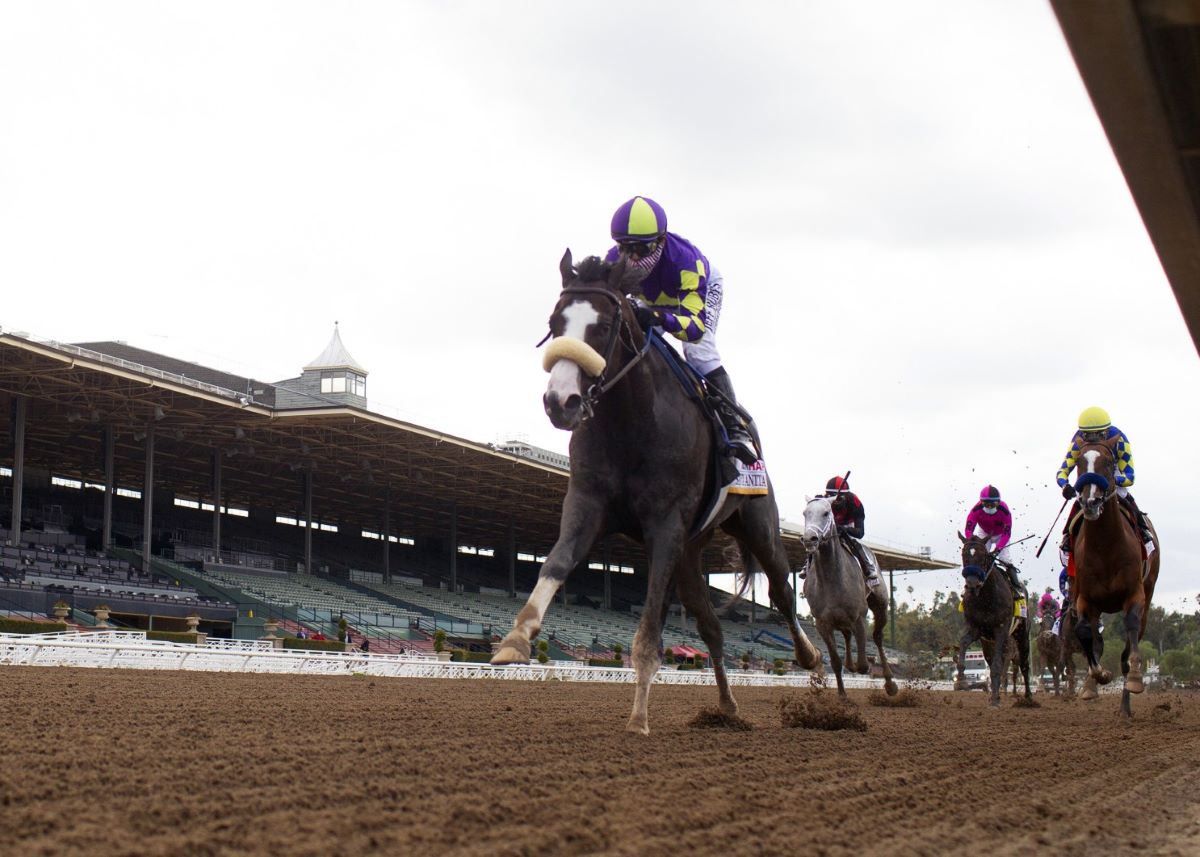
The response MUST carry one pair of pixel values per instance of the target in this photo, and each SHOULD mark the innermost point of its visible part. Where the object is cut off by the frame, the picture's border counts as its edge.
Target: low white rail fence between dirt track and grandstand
(131, 650)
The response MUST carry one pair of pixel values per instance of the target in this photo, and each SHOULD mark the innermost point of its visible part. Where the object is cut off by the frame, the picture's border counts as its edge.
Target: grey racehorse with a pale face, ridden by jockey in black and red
(838, 595)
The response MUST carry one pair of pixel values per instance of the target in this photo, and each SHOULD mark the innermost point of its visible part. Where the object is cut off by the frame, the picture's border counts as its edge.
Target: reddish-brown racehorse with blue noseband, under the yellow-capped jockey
(1112, 574)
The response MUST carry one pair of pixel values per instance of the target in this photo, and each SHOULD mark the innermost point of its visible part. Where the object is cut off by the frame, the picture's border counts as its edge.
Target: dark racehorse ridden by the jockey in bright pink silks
(988, 616)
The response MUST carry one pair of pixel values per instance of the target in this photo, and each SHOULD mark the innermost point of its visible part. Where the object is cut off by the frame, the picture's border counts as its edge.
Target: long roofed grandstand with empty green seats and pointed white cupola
(201, 492)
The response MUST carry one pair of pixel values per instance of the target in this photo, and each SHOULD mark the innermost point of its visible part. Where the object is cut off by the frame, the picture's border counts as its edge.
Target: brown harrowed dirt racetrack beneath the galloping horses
(140, 763)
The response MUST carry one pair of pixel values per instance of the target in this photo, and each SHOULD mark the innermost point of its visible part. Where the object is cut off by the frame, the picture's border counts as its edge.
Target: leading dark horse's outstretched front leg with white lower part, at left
(580, 525)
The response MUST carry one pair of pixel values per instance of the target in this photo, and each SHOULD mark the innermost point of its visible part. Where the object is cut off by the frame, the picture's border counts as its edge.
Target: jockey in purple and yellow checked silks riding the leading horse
(680, 292)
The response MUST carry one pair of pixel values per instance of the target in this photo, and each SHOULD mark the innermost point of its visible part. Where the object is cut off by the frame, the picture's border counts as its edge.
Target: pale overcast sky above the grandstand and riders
(932, 260)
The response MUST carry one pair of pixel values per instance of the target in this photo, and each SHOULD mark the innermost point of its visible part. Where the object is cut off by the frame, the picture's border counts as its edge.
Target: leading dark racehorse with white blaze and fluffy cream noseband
(641, 460)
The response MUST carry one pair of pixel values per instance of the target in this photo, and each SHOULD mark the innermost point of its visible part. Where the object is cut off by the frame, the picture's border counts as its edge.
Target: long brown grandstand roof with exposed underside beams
(358, 458)
